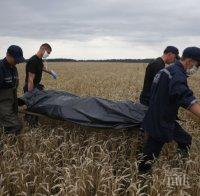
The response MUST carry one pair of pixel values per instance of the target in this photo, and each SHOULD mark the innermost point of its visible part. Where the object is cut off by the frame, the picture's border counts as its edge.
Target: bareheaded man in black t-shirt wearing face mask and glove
(34, 70)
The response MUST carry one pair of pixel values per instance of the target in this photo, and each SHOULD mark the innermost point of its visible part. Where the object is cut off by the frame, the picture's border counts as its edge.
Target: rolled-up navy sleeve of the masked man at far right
(180, 92)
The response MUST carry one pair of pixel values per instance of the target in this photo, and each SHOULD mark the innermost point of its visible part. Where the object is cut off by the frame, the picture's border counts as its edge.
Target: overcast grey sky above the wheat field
(96, 29)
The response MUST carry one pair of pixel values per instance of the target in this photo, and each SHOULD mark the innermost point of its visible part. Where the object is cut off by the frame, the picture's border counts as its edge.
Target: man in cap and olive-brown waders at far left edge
(8, 90)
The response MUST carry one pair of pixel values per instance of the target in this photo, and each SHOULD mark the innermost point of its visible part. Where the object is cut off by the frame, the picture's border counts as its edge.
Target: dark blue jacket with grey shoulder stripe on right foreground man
(169, 92)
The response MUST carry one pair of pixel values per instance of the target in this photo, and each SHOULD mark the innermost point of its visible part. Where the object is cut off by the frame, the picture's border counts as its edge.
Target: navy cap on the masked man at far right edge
(193, 53)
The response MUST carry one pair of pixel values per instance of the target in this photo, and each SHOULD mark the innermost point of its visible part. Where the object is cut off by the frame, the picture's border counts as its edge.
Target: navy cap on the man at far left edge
(17, 53)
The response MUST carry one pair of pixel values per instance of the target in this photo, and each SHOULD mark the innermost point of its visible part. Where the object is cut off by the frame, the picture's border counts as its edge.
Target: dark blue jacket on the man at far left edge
(8, 75)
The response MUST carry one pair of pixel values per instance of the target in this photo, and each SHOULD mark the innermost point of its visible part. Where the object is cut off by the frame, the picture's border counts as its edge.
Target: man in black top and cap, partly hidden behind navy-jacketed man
(170, 54)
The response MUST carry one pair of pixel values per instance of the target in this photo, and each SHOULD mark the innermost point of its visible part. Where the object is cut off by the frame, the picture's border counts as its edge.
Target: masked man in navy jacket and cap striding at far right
(169, 92)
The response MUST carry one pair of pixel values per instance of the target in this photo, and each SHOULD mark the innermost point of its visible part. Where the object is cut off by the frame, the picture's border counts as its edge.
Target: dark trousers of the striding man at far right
(153, 147)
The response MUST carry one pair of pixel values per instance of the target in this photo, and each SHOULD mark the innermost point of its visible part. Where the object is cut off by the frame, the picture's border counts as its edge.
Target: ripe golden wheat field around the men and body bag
(65, 159)
